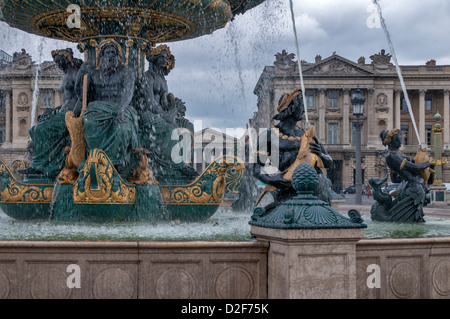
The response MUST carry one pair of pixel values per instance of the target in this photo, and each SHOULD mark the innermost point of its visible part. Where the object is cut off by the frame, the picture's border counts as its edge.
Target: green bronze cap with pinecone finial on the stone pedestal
(305, 211)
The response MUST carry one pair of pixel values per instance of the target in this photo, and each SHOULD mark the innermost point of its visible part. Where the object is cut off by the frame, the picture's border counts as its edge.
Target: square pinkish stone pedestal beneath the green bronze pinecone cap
(311, 263)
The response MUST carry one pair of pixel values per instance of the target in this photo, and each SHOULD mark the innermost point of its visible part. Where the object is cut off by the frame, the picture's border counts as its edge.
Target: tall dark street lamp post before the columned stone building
(358, 110)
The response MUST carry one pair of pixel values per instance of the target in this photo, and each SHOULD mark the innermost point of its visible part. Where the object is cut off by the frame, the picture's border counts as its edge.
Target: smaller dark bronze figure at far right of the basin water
(406, 204)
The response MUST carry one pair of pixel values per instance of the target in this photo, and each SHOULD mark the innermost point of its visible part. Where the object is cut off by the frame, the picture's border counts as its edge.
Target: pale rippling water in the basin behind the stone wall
(223, 225)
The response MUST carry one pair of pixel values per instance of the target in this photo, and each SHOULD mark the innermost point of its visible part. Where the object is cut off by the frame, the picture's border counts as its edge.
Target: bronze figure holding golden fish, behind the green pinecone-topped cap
(295, 146)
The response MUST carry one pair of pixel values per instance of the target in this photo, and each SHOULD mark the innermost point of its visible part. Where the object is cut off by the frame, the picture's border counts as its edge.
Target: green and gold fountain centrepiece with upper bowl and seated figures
(115, 163)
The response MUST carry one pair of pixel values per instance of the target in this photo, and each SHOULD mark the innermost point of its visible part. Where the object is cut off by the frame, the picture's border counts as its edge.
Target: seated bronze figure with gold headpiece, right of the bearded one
(160, 114)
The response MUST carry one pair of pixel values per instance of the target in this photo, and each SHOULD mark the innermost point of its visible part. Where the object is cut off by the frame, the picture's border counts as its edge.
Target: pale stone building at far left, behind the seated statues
(24, 85)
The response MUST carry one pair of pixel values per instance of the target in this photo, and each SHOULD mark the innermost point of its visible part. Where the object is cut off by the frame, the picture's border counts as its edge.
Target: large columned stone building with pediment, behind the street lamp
(329, 84)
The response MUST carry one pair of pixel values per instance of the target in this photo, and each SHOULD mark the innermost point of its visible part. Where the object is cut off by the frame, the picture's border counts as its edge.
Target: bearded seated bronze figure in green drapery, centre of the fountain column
(110, 121)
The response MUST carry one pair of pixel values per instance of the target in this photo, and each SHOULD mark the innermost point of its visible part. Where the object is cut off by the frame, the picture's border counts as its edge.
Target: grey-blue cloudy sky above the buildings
(216, 74)
